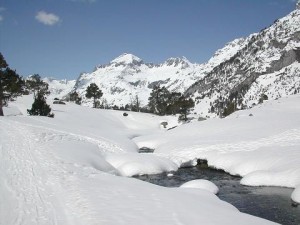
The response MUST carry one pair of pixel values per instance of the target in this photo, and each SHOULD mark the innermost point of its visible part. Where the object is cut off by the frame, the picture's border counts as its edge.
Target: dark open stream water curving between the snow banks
(272, 203)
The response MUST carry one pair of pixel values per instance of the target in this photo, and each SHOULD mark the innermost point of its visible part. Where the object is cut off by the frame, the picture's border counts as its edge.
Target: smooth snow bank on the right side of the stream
(263, 148)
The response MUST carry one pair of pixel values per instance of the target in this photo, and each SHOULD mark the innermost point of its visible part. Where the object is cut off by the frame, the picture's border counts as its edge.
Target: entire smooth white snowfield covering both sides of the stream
(74, 169)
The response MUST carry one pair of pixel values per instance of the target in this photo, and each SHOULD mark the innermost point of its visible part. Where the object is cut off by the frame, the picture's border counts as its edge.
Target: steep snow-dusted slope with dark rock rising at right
(267, 63)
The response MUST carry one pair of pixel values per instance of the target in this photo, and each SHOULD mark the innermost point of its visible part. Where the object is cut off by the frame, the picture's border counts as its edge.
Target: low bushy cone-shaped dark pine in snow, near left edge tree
(40, 107)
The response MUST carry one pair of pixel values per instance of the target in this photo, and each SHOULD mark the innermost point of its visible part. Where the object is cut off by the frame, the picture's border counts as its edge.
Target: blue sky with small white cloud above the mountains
(62, 38)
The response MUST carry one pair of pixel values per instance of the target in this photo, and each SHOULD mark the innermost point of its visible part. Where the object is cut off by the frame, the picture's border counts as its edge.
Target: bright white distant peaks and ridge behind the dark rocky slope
(128, 76)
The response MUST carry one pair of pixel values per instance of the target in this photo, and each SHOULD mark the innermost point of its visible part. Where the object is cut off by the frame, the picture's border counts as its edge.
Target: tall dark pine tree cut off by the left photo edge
(11, 84)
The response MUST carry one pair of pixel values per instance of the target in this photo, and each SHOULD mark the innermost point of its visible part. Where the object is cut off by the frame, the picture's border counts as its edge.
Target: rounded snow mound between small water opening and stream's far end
(131, 164)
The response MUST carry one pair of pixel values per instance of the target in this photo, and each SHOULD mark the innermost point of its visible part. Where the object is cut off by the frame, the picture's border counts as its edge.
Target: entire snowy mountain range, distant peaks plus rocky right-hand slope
(267, 62)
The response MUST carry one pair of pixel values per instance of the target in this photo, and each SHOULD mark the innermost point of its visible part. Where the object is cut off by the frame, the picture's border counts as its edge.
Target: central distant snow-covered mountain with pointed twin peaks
(127, 76)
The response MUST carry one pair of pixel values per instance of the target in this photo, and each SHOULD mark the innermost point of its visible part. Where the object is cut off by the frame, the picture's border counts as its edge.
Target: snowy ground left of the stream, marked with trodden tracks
(63, 170)
